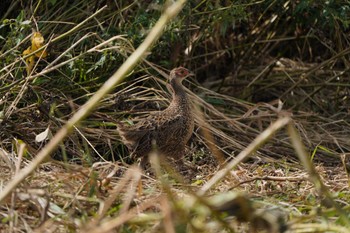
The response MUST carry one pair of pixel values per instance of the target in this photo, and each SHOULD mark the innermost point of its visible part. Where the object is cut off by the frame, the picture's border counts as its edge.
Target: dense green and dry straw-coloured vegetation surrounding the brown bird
(258, 64)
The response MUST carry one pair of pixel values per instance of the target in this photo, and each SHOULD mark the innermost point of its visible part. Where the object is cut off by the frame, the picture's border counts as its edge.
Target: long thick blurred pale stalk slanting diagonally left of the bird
(107, 87)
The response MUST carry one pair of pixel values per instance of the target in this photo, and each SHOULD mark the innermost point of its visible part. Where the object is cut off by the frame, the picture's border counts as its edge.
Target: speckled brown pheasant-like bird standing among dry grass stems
(166, 131)
